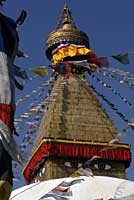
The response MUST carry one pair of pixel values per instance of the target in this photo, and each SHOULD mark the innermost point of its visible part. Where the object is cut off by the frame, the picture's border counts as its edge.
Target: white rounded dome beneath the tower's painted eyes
(93, 188)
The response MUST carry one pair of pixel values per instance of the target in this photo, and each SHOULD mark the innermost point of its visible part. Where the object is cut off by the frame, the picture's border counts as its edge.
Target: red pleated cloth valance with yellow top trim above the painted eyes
(64, 148)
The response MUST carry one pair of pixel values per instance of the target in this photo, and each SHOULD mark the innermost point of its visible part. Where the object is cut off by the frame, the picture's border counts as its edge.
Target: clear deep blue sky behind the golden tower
(109, 25)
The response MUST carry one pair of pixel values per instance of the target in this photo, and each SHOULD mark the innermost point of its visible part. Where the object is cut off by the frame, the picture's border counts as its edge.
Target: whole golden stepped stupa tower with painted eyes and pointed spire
(75, 131)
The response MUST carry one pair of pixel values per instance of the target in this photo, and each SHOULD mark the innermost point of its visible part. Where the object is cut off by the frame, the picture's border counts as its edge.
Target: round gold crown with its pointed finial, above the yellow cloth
(68, 33)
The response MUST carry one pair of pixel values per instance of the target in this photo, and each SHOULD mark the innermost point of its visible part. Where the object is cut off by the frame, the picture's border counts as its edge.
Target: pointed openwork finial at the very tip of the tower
(65, 18)
